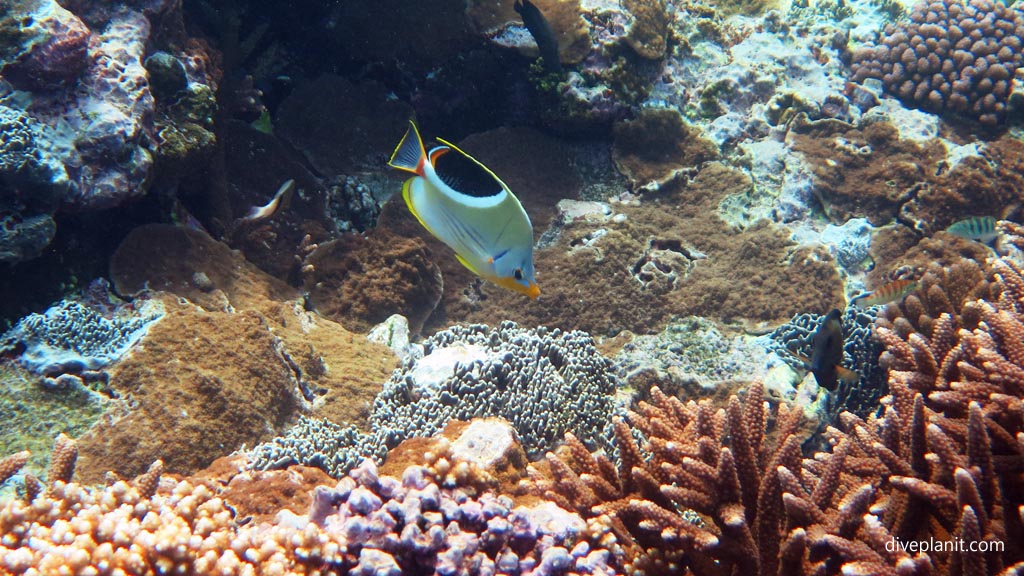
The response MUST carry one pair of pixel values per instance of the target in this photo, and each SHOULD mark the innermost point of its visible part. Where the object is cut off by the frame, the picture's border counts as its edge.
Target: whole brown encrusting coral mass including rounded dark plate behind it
(232, 365)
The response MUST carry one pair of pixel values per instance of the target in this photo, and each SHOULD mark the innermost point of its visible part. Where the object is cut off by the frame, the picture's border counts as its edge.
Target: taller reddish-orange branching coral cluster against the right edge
(952, 435)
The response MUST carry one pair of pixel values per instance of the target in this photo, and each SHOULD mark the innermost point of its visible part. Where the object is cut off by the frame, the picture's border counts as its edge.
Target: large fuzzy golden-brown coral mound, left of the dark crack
(201, 385)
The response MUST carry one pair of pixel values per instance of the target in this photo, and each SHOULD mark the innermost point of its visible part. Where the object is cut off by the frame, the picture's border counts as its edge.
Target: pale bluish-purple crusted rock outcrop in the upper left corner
(77, 72)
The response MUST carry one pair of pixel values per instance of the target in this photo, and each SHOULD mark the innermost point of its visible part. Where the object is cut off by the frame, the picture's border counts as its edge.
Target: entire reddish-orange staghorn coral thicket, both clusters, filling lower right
(944, 464)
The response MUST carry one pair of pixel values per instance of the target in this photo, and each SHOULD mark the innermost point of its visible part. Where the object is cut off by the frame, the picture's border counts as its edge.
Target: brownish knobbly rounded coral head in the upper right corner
(951, 56)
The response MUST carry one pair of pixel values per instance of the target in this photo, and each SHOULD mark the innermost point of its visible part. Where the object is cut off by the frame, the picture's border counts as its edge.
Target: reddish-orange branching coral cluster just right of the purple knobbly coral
(720, 465)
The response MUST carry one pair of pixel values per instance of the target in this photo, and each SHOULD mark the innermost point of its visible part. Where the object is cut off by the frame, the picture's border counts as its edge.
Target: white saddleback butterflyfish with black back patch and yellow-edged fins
(471, 210)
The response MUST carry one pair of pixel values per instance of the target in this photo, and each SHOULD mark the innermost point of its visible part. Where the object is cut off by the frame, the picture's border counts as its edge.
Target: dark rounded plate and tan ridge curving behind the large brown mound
(344, 371)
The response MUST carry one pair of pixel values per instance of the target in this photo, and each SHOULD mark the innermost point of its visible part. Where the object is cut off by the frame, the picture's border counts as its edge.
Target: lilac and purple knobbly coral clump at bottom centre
(448, 530)
